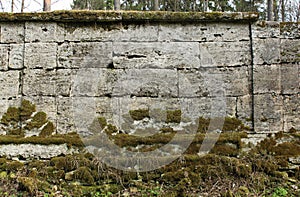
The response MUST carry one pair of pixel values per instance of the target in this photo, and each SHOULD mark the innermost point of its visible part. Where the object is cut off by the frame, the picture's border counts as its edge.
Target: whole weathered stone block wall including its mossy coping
(77, 66)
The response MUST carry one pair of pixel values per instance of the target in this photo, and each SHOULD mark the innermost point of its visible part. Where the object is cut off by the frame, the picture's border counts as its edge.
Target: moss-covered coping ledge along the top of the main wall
(129, 16)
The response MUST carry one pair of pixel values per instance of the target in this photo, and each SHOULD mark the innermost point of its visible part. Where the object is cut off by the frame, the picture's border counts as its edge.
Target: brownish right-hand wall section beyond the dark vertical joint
(277, 105)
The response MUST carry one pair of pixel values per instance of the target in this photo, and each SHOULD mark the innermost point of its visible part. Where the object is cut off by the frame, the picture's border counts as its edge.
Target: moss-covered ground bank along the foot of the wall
(263, 171)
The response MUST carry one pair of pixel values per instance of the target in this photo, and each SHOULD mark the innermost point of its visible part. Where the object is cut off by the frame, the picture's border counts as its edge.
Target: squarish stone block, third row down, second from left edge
(39, 82)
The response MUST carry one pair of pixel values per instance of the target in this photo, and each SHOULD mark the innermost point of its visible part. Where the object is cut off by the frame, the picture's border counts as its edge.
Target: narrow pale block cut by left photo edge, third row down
(10, 82)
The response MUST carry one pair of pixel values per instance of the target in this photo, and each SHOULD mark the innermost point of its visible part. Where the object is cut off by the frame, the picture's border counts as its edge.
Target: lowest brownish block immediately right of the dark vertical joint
(268, 113)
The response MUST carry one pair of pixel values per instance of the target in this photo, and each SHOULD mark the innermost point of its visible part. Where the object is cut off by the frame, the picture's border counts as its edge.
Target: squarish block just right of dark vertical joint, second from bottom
(266, 79)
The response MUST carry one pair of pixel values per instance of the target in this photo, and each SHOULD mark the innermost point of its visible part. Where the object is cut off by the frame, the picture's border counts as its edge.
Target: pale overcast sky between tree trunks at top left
(35, 5)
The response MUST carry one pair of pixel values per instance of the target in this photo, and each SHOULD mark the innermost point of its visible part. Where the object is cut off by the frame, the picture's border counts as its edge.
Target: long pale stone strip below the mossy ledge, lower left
(26, 151)
